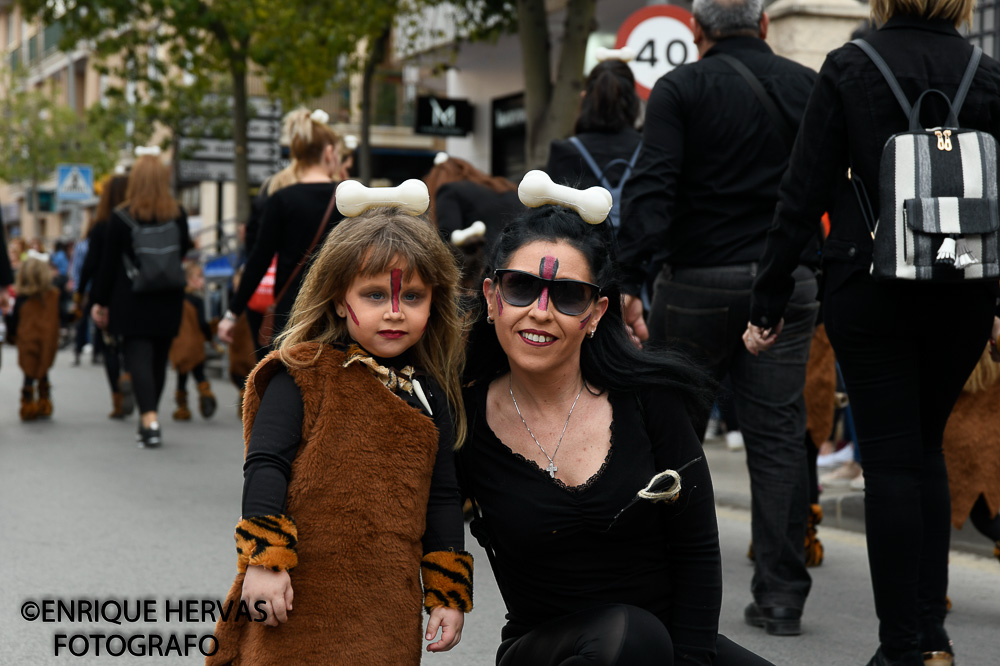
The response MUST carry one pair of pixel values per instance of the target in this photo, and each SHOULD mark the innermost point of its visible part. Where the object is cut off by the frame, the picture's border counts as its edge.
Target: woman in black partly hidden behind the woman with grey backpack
(119, 380)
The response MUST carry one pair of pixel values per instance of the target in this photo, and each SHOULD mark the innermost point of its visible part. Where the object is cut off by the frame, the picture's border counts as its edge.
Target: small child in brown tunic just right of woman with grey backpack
(187, 352)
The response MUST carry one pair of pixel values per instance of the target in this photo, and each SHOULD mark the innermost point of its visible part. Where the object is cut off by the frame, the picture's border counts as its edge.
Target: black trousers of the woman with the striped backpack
(905, 350)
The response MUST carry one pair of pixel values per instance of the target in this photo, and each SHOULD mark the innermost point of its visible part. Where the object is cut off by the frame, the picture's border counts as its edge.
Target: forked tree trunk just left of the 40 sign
(551, 108)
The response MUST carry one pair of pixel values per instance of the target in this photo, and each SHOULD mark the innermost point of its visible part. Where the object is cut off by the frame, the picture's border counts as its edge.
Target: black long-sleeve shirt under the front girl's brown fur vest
(274, 442)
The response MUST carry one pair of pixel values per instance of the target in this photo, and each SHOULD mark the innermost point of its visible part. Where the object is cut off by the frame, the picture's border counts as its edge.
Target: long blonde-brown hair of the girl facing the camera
(367, 245)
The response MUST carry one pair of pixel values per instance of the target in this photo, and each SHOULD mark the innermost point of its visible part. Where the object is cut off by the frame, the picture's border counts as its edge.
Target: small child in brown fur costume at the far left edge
(35, 327)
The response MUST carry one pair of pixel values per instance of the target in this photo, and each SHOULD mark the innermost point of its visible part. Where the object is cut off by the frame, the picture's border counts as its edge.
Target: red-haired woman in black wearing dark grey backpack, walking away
(139, 291)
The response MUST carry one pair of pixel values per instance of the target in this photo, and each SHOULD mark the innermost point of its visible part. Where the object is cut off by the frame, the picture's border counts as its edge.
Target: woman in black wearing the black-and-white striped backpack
(903, 370)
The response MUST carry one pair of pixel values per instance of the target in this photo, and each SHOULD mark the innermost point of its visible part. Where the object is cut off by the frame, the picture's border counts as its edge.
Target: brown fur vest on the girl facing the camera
(358, 493)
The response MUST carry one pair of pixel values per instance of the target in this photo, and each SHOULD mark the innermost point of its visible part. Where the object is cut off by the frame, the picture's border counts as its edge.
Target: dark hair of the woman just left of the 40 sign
(610, 103)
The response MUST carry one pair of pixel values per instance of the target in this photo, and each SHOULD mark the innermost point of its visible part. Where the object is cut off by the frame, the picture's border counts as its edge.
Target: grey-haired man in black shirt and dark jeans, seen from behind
(700, 202)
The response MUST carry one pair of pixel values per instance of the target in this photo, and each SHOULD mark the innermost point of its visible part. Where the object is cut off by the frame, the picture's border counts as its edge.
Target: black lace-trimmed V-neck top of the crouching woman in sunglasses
(560, 550)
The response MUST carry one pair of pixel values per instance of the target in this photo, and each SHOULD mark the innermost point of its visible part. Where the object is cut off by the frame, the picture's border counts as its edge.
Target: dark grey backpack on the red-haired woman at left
(157, 248)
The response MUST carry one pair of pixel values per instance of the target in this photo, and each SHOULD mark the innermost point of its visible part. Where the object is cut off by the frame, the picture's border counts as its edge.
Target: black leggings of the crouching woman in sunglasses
(613, 635)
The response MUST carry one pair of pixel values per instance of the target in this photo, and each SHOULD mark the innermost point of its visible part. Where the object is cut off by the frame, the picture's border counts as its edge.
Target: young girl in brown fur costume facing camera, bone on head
(350, 426)
